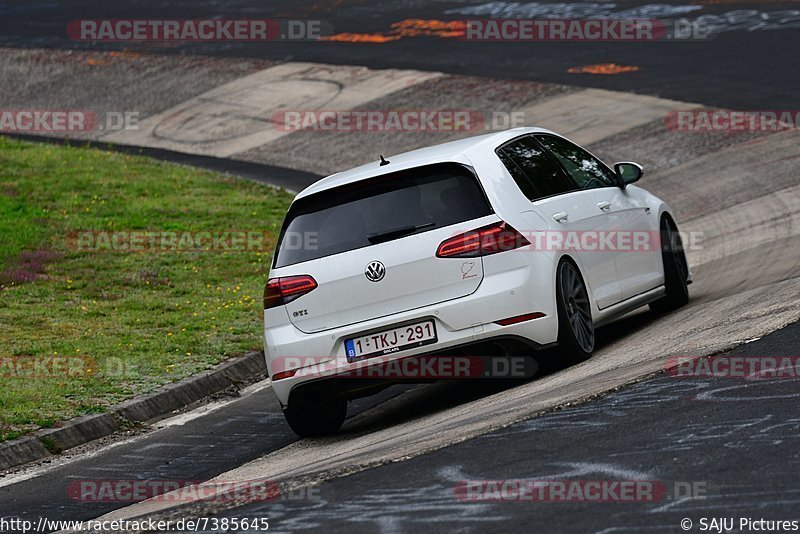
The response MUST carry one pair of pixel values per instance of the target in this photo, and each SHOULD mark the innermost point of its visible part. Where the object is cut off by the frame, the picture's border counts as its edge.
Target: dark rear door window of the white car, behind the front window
(536, 174)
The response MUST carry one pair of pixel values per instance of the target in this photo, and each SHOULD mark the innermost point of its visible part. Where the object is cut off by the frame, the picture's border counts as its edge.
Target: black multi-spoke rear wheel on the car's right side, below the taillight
(575, 326)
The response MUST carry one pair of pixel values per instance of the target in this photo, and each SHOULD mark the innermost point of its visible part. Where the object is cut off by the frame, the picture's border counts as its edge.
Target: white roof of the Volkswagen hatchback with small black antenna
(456, 151)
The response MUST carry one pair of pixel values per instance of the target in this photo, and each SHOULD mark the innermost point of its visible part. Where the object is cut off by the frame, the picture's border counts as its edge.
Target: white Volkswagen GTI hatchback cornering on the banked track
(500, 243)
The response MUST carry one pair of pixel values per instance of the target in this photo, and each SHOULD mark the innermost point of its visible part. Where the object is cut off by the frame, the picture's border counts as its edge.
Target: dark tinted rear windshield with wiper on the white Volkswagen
(382, 209)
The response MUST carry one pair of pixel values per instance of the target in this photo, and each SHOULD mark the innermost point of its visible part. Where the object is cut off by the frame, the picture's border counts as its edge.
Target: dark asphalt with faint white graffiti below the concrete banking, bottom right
(734, 441)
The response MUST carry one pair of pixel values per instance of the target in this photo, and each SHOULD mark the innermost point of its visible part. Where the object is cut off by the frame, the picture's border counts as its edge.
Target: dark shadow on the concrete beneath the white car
(405, 402)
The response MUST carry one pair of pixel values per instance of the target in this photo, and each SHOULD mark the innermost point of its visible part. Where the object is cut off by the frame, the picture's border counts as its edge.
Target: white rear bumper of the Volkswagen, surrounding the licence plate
(461, 322)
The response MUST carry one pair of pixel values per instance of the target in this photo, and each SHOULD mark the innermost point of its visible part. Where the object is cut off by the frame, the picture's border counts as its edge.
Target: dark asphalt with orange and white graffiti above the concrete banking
(751, 63)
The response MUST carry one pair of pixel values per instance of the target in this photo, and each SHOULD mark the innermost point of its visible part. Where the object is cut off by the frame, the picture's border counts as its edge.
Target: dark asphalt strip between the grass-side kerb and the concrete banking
(195, 451)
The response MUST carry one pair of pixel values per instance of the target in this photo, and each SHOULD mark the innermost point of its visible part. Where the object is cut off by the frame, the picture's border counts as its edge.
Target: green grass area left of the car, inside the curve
(141, 319)
